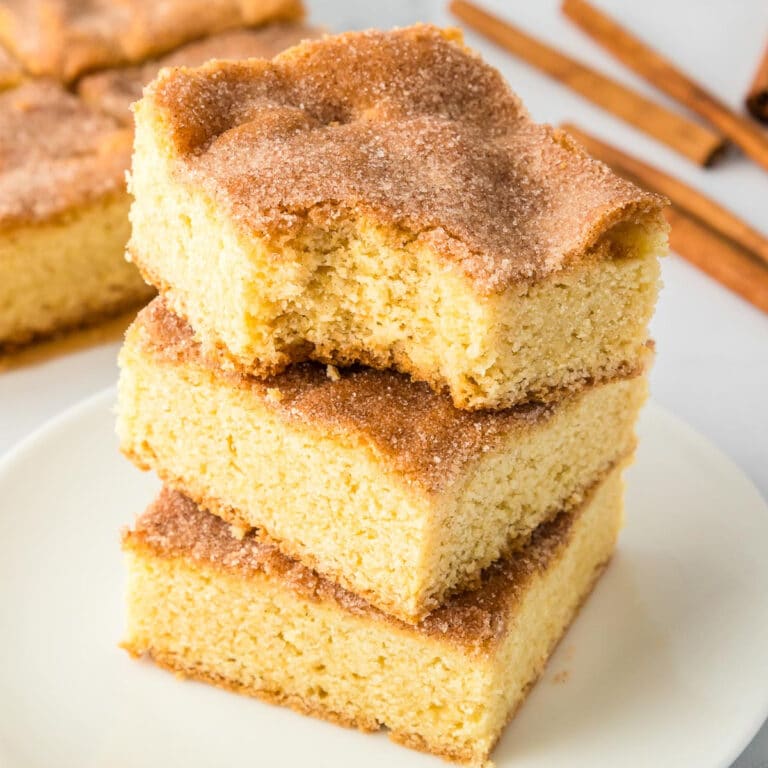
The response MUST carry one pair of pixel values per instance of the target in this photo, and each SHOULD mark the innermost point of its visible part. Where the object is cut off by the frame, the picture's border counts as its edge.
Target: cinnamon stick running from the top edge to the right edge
(663, 74)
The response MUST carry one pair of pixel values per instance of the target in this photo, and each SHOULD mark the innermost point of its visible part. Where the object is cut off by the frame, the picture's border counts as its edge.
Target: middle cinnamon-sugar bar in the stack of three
(372, 479)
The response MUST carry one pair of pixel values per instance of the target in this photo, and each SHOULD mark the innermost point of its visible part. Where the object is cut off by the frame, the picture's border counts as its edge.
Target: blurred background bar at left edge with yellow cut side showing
(63, 215)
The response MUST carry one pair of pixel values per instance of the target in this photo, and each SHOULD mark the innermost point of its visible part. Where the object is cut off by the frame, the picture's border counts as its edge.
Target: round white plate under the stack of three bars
(667, 665)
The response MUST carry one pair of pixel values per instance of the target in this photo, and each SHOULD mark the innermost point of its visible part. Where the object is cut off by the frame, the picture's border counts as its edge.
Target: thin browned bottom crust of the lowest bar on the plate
(301, 705)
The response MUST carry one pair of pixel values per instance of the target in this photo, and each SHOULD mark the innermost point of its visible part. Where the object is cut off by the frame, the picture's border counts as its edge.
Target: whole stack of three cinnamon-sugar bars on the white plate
(390, 382)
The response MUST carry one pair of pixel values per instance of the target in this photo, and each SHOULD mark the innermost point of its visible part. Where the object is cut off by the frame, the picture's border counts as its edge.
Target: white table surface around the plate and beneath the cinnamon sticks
(712, 364)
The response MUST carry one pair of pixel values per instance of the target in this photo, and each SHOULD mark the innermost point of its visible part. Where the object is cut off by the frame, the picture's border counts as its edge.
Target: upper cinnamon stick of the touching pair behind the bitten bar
(682, 196)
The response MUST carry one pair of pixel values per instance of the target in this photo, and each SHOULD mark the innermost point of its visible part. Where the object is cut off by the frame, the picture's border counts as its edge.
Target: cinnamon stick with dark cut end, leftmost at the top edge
(696, 142)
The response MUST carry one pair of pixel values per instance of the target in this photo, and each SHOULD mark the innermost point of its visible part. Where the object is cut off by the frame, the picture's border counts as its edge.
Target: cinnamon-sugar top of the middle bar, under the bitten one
(421, 434)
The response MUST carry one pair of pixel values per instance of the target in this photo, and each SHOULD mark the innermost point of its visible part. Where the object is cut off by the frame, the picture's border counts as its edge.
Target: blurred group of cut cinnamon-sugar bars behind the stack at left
(68, 72)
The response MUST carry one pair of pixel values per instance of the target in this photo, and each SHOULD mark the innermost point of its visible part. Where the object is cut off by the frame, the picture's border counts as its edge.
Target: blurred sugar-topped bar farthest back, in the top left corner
(65, 38)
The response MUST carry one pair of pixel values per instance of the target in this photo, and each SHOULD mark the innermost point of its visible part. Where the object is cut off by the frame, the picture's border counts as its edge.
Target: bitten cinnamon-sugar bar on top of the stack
(384, 198)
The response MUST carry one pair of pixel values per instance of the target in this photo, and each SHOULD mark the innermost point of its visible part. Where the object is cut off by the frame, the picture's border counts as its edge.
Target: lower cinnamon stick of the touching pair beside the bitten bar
(719, 258)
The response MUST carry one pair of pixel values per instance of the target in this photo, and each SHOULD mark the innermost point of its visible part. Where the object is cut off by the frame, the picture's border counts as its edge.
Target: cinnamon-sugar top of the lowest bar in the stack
(174, 526)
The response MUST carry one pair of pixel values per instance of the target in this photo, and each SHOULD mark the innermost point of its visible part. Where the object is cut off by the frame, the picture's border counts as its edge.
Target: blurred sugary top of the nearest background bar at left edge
(55, 153)
